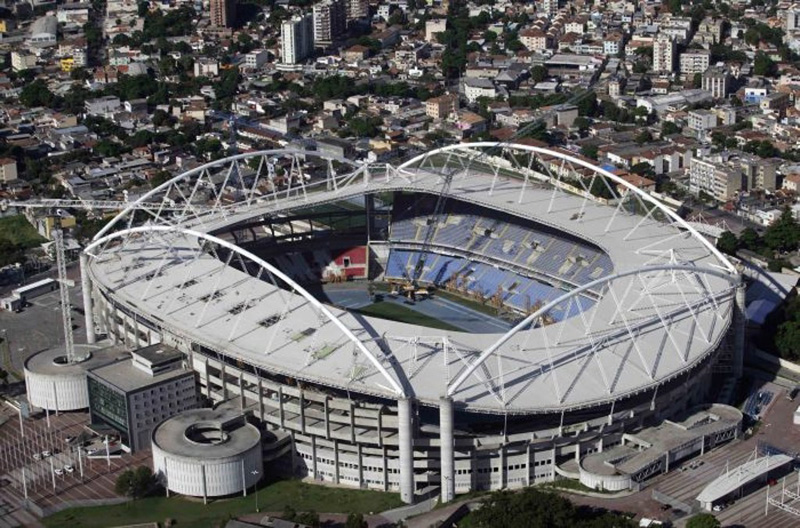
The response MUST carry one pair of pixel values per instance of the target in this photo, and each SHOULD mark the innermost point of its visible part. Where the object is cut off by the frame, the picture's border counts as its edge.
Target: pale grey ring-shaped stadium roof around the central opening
(657, 320)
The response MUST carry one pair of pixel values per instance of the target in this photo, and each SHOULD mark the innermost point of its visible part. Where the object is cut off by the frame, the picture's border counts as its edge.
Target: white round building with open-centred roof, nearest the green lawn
(207, 453)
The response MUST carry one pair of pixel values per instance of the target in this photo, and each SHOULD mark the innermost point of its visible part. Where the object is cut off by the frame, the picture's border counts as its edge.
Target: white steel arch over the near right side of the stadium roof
(530, 319)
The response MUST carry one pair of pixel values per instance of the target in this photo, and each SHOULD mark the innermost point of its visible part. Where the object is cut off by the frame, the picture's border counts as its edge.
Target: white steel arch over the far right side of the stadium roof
(577, 161)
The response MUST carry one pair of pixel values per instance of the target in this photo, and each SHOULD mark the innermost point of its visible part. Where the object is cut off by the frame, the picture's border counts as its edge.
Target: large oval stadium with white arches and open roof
(471, 319)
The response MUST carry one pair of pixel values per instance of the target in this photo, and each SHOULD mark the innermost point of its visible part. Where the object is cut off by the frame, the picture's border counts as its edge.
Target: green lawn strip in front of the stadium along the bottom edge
(192, 513)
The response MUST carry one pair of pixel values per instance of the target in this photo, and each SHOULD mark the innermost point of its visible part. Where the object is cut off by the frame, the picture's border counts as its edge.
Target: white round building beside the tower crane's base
(55, 384)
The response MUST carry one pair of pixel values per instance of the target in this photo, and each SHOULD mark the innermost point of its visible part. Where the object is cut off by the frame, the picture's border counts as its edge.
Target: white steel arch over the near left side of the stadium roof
(396, 386)
